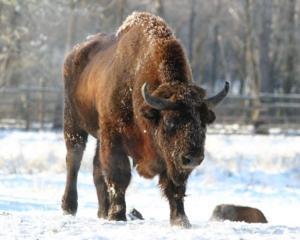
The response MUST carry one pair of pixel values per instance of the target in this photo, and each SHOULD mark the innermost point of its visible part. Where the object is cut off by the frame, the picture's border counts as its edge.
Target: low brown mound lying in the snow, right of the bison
(238, 213)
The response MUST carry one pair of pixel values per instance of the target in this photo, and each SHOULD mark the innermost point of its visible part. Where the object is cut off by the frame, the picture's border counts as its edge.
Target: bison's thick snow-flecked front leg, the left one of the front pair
(117, 173)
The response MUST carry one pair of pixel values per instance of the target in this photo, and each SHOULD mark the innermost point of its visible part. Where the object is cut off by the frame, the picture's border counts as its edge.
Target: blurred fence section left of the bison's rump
(31, 108)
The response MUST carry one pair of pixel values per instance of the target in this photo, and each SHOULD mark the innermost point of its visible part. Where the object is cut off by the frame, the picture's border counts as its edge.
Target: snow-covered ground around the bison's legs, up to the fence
(258, 171)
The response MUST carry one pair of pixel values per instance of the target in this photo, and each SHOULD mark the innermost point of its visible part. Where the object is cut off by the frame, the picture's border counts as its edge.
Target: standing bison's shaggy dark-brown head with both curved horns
(179, 114)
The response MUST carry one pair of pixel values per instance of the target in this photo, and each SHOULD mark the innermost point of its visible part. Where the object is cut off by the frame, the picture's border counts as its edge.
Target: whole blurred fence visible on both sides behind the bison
(42, 108)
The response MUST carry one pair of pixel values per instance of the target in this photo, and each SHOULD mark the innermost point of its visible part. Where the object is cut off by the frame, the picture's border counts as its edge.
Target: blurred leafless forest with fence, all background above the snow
(254, 44)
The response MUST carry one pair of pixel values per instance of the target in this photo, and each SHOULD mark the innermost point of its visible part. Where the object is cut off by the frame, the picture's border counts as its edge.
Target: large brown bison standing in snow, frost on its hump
(134, 92)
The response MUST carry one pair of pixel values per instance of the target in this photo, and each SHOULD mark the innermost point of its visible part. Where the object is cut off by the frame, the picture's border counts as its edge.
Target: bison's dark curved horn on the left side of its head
(157, 102)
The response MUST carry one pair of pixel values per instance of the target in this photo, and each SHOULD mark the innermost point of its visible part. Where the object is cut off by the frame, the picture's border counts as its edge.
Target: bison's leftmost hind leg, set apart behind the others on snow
(75, 140)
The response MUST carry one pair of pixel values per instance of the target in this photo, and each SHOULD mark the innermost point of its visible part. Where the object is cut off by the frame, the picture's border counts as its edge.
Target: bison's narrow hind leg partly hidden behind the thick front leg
(101, 187)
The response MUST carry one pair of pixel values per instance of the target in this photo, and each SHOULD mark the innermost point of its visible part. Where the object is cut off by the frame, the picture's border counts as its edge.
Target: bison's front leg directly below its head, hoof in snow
(175, 195)
